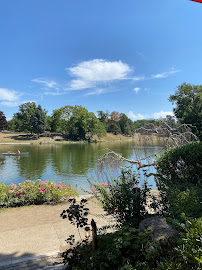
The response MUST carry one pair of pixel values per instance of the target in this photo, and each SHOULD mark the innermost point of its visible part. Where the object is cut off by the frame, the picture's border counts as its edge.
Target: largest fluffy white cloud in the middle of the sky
(90, 73)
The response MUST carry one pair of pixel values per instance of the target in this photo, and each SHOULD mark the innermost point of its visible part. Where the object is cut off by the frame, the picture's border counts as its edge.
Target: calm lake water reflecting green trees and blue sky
(71, 163)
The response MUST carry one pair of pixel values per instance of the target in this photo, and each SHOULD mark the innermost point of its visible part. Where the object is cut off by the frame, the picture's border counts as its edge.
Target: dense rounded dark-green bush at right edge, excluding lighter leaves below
(180, 166)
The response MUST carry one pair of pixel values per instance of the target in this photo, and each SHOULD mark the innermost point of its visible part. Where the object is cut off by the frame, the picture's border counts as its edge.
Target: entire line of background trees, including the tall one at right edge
(80, 124)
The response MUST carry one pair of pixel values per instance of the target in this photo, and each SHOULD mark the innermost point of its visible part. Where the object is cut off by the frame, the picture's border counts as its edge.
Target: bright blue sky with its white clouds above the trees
(115, 55)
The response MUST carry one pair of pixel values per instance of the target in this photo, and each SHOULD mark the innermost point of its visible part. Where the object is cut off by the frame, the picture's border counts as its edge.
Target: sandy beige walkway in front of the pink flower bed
(32, 237)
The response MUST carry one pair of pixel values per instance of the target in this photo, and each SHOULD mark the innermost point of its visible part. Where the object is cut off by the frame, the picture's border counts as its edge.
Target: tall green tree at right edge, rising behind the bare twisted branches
(188, 110)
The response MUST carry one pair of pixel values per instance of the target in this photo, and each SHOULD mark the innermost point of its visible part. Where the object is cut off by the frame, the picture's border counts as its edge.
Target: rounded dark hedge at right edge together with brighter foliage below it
(179, 174)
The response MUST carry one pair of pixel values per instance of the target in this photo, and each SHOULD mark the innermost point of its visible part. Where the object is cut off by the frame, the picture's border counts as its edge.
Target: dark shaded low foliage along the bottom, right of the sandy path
(127, 248)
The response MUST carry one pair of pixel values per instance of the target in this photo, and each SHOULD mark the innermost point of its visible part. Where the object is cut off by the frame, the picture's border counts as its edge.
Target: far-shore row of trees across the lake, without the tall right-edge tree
(74, 121)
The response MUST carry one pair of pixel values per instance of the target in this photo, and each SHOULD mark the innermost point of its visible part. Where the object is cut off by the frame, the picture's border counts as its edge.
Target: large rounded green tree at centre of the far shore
(82, 125)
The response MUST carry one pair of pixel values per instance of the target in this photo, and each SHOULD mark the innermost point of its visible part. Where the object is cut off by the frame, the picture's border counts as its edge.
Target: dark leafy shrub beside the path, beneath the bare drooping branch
(122, 198)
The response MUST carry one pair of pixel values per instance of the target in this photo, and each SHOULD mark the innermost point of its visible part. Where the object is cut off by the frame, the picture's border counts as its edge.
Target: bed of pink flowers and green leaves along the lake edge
(34, 192)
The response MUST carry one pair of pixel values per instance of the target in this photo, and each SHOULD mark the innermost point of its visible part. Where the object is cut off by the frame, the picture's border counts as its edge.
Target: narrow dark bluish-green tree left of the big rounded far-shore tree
(38, 120)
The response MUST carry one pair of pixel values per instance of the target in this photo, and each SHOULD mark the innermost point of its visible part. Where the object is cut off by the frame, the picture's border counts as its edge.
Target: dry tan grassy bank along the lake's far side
(50, 138)
